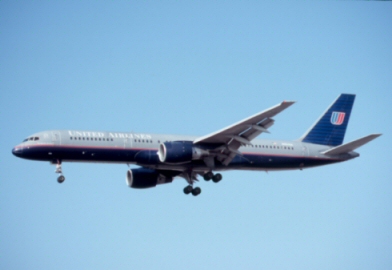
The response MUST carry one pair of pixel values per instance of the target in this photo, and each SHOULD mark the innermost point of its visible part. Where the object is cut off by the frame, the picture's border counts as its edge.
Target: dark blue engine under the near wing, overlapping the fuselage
(178, 152)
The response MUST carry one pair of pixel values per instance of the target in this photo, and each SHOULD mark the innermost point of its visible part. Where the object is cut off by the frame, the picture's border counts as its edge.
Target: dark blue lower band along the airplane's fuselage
(143, 156)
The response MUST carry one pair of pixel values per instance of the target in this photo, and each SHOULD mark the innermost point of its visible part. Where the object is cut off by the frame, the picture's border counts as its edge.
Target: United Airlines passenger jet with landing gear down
(164, 157)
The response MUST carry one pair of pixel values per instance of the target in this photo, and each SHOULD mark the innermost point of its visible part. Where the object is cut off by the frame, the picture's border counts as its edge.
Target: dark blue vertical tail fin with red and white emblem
(331, 127)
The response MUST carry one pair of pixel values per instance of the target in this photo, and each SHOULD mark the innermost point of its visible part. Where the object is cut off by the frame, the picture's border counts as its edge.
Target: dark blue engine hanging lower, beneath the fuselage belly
(145, 178)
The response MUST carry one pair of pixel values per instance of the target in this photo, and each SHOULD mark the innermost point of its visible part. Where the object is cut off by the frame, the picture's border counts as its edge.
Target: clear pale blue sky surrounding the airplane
(194, 68)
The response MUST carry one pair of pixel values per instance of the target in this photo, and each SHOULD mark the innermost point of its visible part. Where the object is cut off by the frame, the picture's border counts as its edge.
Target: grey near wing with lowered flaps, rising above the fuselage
(242, 132)
